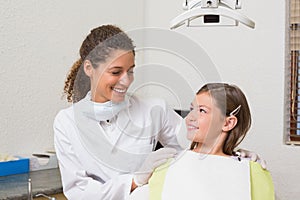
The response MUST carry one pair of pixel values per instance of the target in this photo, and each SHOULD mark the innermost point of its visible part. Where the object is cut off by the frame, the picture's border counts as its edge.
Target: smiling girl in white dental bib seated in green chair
(218, 121)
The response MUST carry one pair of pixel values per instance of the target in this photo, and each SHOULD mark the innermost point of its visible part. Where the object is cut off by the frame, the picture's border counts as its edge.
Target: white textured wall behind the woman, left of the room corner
(39, 42)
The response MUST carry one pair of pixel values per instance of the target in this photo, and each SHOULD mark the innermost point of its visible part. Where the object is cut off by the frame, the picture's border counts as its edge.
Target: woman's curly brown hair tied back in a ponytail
(96, 48)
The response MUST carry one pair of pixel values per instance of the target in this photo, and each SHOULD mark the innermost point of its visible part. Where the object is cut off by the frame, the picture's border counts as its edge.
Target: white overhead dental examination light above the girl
(211, 13)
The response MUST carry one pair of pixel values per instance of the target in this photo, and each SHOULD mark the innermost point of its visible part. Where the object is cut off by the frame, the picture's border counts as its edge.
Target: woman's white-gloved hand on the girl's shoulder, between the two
(154, 159)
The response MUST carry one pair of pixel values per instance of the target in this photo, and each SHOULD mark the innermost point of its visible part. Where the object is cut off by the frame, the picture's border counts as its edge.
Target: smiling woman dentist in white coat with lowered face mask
(105, 141)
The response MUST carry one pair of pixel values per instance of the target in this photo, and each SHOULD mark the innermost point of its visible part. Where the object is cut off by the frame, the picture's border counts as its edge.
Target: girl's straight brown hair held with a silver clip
(228, 98)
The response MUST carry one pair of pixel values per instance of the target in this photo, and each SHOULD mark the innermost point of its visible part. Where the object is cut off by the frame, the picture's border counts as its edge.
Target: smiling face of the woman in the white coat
(110, 80)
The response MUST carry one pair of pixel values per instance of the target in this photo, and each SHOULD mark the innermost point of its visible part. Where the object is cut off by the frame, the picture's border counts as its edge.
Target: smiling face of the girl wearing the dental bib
(204, 122)
